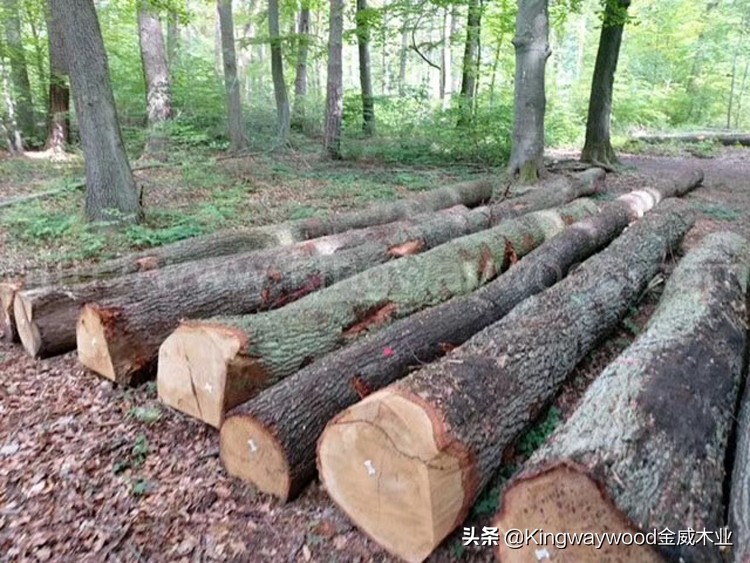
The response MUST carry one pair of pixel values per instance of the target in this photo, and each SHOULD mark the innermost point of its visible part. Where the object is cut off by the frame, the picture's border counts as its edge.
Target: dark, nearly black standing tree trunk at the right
(598, 146)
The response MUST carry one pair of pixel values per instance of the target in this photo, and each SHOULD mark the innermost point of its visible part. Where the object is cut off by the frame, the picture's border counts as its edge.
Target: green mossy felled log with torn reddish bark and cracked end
(206, 368)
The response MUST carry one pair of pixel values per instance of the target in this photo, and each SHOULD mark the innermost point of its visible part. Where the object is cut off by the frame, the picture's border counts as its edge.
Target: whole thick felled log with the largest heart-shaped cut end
(422, 449)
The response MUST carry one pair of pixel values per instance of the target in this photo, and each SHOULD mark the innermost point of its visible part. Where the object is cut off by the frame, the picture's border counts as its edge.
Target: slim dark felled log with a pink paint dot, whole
(284, 422)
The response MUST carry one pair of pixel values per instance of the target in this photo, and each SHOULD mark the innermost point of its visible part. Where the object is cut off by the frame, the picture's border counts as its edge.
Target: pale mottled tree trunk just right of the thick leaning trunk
(156, 73)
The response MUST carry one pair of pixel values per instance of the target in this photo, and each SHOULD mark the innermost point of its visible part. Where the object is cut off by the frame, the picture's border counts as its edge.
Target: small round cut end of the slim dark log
(249, 451)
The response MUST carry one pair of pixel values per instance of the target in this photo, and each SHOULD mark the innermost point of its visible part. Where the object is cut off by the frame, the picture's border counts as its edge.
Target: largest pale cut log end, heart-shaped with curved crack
(382, 464)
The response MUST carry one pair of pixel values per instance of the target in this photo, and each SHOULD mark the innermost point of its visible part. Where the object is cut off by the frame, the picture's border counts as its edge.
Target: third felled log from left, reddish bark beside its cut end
(120, 338)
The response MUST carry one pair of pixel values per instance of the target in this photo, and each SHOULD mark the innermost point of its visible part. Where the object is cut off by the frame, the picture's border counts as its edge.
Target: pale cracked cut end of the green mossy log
(204, 373)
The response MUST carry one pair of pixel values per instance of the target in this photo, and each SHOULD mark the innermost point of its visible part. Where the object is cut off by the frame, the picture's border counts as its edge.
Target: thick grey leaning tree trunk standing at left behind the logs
(110, 188)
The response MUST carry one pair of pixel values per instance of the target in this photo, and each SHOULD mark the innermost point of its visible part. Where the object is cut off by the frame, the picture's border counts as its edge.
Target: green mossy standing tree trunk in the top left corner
(18, 69)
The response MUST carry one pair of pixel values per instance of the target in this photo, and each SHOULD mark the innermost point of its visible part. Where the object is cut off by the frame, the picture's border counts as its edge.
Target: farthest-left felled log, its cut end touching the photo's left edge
(469, 194)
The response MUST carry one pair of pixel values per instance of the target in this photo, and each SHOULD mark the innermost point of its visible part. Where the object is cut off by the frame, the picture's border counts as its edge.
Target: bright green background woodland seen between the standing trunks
(682, 65)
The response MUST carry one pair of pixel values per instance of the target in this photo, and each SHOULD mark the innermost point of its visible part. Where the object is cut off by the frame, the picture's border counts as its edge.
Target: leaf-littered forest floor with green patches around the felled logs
(93, 472)
